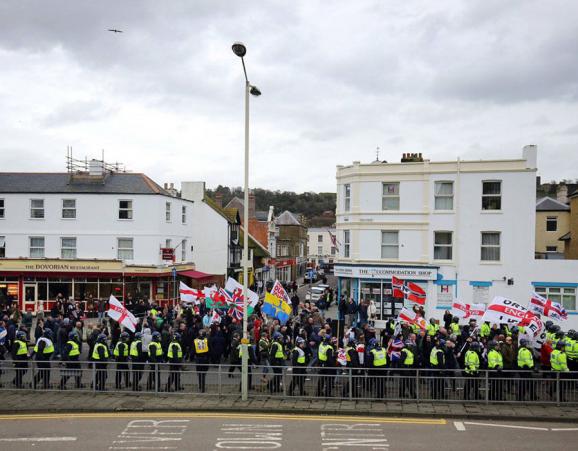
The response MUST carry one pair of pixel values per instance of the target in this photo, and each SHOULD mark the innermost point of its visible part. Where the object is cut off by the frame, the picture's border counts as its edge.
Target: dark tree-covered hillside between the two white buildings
(317, 208)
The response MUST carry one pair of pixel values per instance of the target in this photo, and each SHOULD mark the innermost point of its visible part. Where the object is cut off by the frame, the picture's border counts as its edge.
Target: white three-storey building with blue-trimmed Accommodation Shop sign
(460, 229)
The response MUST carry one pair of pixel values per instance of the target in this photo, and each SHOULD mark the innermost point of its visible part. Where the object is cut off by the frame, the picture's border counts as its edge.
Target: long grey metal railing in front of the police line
(390, 384)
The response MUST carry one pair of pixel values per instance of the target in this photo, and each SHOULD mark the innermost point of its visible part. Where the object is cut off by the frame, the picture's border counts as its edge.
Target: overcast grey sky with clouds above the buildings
(475, 79)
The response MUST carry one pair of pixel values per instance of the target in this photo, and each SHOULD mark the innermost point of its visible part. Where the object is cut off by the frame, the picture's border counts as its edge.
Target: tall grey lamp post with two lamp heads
(240, 50)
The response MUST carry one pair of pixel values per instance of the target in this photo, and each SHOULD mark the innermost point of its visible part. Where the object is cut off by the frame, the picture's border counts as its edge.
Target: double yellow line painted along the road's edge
(217, 415)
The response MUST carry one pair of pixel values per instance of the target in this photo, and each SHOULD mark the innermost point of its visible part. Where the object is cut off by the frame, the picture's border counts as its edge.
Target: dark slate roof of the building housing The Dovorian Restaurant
(63, 182)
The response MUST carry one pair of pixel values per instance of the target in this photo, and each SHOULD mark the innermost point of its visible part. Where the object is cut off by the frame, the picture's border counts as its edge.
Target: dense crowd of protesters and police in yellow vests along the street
(183, 333)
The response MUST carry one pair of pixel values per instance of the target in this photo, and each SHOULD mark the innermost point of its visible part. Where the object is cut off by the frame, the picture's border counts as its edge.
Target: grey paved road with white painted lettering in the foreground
(214, 431)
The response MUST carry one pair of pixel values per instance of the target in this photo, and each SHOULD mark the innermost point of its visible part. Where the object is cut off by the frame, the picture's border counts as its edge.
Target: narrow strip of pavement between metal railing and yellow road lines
(13, 402)
